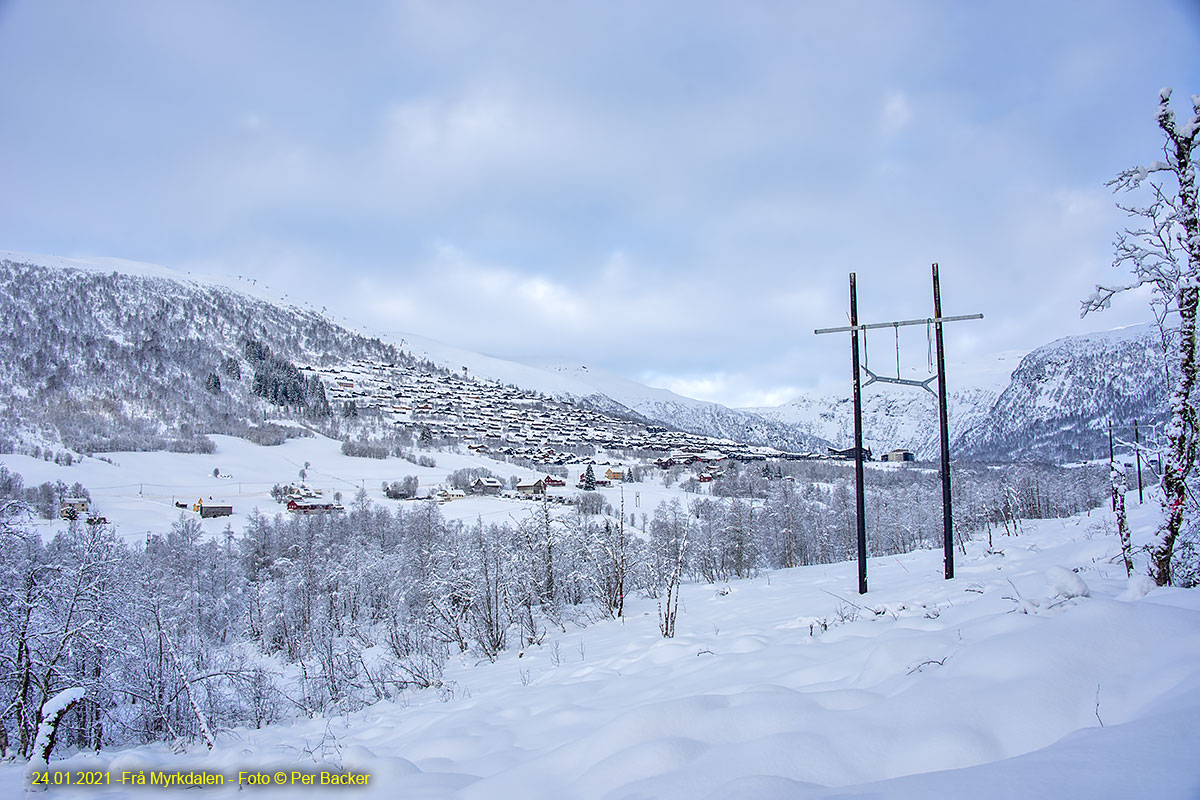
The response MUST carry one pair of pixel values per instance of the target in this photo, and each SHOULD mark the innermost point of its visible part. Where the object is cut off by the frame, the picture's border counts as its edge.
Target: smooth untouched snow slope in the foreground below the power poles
(1040, 672)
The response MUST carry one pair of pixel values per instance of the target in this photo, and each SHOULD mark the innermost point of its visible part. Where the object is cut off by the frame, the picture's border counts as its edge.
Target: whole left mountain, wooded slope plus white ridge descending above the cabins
(103, 354)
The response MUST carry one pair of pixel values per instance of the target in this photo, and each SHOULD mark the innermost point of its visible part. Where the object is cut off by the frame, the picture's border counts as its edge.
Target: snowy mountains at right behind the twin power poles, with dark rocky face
(1052, 405)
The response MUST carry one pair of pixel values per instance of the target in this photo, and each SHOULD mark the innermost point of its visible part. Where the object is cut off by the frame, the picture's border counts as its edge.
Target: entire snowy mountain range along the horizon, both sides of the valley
(104, 353)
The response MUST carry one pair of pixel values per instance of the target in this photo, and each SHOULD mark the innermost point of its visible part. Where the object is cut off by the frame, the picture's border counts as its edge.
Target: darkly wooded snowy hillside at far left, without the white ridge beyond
(99, 356)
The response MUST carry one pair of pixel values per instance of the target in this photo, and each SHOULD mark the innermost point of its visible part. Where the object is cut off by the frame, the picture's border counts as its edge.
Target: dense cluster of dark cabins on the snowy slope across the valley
(567, 446)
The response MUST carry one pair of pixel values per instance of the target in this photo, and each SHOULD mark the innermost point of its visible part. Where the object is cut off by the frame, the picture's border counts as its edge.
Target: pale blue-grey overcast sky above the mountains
(675, 193)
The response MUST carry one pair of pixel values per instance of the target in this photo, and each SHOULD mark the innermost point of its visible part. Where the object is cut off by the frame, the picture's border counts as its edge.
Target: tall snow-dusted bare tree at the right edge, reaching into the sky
(1162, 250)
